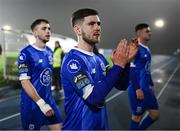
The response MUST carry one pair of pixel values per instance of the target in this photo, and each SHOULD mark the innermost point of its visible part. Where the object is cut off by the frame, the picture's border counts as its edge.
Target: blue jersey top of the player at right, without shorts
(140, 69)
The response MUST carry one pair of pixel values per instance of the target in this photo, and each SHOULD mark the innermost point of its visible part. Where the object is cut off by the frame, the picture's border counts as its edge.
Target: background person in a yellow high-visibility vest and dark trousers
(57, 60)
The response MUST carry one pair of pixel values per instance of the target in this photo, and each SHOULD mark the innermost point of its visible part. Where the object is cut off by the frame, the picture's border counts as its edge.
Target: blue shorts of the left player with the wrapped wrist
(33, 119)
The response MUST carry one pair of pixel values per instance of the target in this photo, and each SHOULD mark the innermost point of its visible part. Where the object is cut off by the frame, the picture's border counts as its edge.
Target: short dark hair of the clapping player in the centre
(81, 13)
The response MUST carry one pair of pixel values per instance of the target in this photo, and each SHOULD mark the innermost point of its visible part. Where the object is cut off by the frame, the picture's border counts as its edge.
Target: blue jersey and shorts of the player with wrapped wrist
(36, 65)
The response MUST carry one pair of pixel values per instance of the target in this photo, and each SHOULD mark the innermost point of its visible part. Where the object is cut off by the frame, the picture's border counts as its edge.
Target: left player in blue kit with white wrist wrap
(37, 105)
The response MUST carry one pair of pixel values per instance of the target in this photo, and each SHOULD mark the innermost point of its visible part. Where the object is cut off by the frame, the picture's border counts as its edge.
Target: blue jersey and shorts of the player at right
(140, 78)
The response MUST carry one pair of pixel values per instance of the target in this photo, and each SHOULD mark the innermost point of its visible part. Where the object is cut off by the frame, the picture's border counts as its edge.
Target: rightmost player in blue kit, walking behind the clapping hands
(141, 87)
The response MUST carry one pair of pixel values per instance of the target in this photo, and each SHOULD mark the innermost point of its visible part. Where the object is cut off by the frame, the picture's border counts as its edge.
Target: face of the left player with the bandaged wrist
(42, 32)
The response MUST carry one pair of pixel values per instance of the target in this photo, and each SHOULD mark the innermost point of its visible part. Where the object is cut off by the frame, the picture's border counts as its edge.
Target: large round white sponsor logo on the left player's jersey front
(45, 77)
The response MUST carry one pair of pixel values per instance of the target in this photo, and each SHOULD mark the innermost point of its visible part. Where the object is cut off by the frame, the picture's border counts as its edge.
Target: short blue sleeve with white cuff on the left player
(24, 66)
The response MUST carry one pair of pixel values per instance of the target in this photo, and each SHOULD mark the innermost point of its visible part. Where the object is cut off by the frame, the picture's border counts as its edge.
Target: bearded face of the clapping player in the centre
(91, 29)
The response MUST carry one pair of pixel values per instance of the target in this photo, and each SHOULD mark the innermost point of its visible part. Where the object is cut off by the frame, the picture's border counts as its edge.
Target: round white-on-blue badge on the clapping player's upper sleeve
(73, 66)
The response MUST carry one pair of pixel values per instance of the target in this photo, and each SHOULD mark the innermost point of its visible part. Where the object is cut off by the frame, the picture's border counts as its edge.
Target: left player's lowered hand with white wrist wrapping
(45, 108)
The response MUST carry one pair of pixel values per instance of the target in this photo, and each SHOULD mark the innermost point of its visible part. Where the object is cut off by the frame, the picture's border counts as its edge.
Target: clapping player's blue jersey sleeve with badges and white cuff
(75, 72)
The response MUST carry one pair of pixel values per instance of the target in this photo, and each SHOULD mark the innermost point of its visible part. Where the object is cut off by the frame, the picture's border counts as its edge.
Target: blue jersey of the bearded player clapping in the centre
(81, 72)
